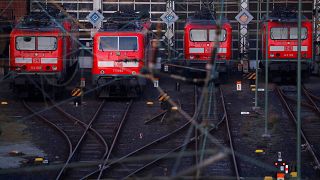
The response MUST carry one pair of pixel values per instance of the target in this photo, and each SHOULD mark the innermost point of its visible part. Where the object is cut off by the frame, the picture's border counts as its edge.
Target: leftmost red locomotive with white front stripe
(43, 50)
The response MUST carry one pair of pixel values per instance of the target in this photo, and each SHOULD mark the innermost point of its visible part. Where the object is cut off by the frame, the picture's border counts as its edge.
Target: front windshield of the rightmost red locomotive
(284, 33)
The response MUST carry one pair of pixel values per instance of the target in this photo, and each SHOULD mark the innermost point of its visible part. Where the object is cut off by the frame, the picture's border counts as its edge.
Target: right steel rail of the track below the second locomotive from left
(124, 117)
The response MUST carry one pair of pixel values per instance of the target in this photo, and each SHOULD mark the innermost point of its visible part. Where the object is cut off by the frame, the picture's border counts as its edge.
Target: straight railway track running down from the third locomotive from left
(223, 141)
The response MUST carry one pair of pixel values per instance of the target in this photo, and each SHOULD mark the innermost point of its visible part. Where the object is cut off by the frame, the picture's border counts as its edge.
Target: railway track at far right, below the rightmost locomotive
(308, 129)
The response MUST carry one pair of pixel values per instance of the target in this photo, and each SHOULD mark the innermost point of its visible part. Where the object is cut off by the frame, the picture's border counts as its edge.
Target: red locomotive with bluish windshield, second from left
(120, 50)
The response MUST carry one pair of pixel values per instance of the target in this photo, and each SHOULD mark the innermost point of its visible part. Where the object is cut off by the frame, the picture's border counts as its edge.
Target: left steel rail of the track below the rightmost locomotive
(292, 116)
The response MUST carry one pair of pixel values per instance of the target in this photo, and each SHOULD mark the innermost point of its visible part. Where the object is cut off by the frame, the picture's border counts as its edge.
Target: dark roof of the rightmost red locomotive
(284, 15)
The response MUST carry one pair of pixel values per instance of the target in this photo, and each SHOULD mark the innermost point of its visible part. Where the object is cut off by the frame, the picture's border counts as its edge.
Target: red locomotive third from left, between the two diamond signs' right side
(200, 35)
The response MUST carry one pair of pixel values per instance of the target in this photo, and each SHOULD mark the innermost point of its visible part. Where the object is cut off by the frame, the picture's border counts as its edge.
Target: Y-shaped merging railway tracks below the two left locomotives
(87, 141)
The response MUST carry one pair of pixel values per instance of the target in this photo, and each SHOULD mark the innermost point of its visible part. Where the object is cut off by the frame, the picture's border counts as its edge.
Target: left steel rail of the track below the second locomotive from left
(81, 139)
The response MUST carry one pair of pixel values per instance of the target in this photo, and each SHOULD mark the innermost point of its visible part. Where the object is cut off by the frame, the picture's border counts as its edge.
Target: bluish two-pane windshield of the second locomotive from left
(120, 43)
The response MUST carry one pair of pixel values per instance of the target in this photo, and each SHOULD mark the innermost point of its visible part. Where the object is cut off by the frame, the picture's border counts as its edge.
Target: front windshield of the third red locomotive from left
(203, 35)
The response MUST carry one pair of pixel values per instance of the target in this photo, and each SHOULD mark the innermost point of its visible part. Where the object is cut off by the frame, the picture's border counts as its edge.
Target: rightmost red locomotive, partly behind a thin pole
(282, 44)
